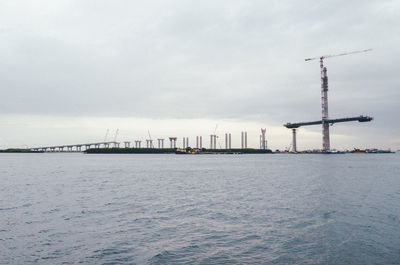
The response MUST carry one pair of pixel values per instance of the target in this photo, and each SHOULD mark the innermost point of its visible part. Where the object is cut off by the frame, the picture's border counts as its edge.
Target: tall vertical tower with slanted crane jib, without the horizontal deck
(324, 96)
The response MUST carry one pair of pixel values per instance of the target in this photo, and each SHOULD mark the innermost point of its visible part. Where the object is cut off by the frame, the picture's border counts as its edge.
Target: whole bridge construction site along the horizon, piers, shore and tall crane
(114, 146)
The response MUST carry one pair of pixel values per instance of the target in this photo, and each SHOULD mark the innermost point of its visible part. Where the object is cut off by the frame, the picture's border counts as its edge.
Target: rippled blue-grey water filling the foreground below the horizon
(201, 209)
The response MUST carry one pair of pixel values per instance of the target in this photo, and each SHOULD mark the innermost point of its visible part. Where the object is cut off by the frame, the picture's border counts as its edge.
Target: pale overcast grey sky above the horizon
(71, 70)
